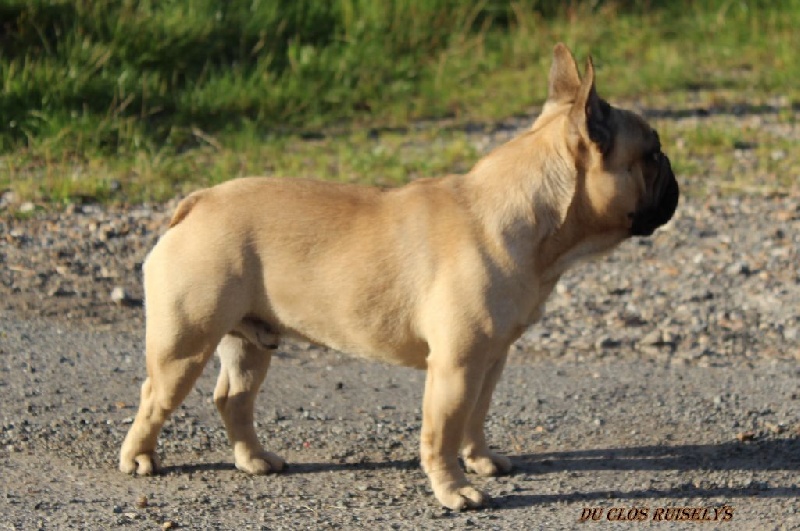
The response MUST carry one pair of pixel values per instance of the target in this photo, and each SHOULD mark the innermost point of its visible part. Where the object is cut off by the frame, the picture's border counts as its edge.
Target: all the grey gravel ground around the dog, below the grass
(664, 375)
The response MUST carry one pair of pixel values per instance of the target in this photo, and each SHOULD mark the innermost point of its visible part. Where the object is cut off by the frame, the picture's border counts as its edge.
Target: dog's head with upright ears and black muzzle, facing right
(624, 181)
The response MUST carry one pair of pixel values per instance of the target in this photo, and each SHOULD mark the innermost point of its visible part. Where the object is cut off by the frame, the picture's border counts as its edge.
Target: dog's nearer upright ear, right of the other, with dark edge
(591, 113)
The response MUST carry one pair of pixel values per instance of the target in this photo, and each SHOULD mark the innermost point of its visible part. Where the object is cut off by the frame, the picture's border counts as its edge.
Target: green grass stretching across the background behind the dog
(139, 100)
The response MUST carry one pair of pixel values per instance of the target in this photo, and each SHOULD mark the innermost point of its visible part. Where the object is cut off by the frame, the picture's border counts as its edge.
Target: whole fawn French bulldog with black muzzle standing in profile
(441, 274)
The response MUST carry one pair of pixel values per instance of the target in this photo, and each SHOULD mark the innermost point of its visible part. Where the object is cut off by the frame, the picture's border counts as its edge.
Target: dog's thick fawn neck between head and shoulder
(524, 197)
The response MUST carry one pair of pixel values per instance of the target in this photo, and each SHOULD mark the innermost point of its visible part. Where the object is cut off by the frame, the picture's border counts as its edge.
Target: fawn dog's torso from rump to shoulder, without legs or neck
(326, 262)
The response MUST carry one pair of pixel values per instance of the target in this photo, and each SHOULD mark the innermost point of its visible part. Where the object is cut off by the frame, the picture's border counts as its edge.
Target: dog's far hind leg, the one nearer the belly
(244, 367)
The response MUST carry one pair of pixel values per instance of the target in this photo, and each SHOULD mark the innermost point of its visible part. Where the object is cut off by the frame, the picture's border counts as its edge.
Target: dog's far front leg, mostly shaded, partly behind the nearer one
(477, 456)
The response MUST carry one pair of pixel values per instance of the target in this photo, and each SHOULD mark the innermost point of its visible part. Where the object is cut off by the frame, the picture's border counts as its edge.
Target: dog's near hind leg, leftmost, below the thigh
(173, 366)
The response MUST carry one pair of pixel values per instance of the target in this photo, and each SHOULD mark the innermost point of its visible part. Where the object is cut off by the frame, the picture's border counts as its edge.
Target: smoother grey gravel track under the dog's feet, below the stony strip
(612, 432)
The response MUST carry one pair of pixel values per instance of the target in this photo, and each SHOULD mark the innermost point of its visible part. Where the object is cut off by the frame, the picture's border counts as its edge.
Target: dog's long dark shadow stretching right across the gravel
(765, 455)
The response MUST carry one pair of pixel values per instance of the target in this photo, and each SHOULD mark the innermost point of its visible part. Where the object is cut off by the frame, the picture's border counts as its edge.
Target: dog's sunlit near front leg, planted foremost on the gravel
(452, 388)
